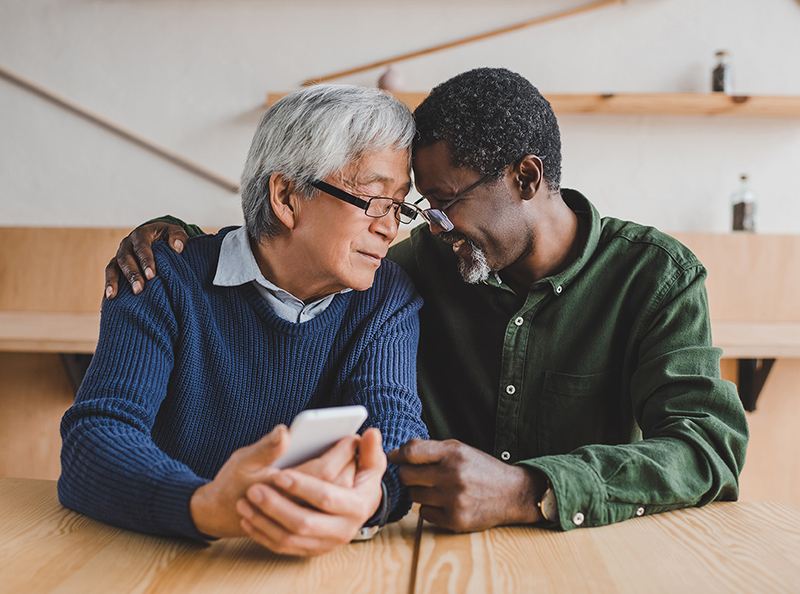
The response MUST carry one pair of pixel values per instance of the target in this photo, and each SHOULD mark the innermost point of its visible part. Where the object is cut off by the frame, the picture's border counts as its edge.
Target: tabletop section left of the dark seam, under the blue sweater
(47, 548)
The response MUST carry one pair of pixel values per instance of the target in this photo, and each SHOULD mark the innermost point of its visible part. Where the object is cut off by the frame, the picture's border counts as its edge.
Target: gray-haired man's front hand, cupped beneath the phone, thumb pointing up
(295, 513)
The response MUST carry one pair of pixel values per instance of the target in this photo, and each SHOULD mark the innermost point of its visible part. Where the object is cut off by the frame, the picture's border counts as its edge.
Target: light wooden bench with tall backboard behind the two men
(52, 286)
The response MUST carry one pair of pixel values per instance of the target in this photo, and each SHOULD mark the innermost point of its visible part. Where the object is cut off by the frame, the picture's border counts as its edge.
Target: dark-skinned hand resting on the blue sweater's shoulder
(134, 260)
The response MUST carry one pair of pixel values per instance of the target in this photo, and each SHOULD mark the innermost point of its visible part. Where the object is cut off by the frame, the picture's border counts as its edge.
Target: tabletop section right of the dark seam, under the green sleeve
(723, 547)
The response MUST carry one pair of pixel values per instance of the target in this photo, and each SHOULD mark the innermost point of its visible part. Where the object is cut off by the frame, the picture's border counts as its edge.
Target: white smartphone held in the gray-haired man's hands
(315, 431)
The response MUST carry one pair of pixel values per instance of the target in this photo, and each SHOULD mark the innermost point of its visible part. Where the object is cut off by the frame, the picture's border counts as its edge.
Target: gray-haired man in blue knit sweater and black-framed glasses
(183, 409)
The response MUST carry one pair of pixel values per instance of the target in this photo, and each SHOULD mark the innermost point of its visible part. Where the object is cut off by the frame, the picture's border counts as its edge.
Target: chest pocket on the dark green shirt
(577, 410)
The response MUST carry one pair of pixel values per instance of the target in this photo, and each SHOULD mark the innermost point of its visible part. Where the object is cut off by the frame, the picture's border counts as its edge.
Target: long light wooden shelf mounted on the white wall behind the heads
(652, 104)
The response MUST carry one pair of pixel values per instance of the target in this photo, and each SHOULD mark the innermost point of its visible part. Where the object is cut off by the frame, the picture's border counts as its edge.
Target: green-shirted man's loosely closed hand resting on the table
(464, 489)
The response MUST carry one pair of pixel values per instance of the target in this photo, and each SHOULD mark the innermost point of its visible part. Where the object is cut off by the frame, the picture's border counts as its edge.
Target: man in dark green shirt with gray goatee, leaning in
(565, 359)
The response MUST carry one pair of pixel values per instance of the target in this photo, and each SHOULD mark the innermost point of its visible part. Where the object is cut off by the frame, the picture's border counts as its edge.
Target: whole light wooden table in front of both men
(723, 547)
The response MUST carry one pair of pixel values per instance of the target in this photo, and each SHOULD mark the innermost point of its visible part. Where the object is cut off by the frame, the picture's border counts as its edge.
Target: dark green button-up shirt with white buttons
(602, 376)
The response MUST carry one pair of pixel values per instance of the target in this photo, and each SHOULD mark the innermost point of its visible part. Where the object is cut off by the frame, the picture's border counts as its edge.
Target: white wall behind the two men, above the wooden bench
(192, 75)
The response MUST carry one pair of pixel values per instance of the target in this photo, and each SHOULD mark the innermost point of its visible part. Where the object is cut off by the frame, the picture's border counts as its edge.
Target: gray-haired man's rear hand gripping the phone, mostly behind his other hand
(214, 505)
